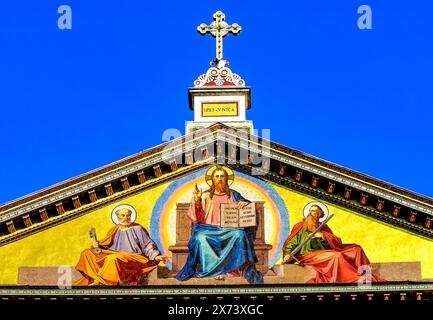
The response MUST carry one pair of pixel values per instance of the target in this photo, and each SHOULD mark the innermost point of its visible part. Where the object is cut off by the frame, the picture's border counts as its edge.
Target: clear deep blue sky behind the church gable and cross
(74, 100)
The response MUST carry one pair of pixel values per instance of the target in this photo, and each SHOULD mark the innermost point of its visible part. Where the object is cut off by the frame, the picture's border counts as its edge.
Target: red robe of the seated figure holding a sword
(337, 265)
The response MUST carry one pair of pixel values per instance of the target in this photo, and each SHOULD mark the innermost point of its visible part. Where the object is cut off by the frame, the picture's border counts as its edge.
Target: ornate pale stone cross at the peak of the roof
(219, 29)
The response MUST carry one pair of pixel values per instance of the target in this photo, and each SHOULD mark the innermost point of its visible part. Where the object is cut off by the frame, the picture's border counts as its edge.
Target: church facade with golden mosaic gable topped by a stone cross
(222, 211)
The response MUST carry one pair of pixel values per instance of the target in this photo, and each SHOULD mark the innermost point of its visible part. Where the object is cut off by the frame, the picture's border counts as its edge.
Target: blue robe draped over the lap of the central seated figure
(215, 250)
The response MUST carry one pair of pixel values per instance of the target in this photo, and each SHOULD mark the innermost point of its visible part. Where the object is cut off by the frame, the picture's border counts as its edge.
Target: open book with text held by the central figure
(233, 217)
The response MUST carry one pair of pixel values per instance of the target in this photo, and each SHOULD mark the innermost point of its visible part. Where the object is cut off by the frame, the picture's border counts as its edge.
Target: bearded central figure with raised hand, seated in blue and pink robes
(216, 251)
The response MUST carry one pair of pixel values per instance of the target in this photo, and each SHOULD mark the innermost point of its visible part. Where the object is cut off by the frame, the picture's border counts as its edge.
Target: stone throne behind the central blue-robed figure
(183, 234)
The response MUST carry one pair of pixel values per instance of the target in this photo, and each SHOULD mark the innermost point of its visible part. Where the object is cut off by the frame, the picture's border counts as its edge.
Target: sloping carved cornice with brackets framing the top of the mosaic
(246, 153)
